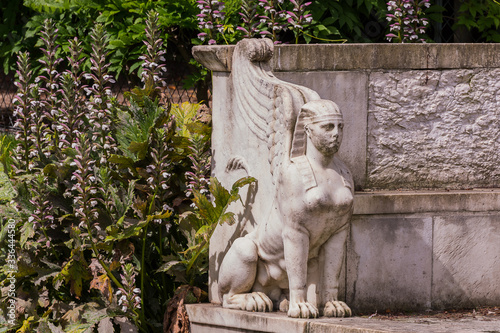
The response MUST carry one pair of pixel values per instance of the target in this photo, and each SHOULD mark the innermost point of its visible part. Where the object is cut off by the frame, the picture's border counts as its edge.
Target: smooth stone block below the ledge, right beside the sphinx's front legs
(389, 263)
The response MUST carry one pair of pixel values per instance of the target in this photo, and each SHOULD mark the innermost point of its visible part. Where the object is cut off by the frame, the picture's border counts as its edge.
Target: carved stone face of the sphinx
(326, 135)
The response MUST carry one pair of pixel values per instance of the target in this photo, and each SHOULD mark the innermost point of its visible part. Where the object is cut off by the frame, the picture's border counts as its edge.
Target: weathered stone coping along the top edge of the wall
(328, 57)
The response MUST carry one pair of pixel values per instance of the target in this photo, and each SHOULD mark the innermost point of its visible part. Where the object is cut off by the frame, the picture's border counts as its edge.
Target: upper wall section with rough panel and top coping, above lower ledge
(417, 116)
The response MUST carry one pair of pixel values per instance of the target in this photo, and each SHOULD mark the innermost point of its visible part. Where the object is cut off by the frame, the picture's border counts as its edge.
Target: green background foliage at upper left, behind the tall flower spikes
(124, 21)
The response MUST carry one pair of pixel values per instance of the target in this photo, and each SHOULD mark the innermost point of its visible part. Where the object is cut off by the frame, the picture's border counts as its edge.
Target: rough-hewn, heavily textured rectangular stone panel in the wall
(434, 129)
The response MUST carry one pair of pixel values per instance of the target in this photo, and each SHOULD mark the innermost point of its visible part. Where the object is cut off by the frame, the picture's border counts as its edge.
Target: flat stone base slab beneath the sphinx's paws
(209, 318)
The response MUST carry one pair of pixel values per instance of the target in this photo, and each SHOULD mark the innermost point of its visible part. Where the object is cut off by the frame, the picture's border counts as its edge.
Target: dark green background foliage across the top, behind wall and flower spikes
(124, 20)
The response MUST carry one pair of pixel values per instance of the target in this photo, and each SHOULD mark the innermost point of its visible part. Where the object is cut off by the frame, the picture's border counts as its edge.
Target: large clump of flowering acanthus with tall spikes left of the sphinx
(109, 201)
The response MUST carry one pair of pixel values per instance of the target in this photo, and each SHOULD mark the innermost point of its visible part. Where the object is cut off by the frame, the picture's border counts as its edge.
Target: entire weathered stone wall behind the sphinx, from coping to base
(417, 117)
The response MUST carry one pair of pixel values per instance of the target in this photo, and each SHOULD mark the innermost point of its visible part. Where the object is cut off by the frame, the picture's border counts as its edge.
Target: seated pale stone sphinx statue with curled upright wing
(290, 256)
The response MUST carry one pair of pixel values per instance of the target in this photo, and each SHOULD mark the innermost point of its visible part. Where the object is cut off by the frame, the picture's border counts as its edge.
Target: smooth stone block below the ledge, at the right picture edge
(466, 268)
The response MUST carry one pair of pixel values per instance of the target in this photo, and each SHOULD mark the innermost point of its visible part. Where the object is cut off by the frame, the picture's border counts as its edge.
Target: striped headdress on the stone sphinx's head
(311, 112)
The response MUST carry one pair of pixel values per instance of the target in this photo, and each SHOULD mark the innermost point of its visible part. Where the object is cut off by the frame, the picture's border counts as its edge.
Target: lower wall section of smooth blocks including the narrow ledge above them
(424, 250)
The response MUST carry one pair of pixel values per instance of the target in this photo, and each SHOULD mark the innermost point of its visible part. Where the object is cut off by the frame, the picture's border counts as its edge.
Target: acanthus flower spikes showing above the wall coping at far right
(407, 21)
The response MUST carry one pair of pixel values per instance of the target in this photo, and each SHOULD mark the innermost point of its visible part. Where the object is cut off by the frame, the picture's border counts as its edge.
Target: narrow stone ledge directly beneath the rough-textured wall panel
(408, 202)
